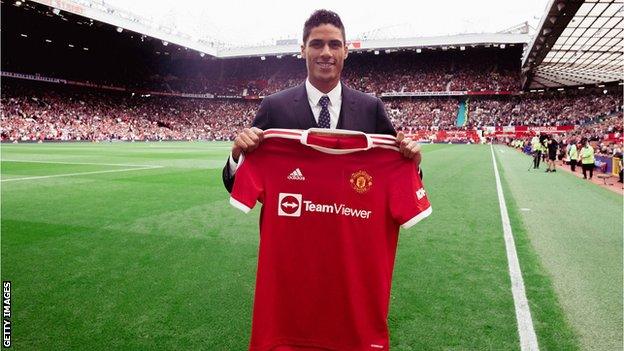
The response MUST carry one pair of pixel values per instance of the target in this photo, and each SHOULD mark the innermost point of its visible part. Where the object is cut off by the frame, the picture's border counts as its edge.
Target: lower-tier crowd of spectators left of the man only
(74, 114)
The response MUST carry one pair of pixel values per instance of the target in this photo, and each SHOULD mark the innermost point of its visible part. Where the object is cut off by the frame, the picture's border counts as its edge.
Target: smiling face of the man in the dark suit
(325, 52)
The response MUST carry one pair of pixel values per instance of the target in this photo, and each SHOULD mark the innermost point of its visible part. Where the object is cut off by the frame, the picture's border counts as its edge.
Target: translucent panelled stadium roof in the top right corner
(577, 43)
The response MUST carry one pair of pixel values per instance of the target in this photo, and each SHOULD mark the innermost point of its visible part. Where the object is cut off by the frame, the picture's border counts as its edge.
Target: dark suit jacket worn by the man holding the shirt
(290, 109)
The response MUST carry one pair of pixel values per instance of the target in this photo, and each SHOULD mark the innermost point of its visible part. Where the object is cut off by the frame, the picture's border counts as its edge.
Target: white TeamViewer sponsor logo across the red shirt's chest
(291, 205)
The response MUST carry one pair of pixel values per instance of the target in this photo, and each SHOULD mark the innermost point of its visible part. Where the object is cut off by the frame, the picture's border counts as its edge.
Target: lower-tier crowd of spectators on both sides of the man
(42, 111)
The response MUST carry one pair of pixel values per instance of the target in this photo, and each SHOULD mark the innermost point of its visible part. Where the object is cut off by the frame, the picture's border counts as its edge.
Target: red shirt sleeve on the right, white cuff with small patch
(408, 199)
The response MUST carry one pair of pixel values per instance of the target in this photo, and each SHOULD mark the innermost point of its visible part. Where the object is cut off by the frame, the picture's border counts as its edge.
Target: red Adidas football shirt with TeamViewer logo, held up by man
(332, 205)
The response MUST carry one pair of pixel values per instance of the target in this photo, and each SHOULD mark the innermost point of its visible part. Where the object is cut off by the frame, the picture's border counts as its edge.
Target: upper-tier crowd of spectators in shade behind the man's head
(478, 70)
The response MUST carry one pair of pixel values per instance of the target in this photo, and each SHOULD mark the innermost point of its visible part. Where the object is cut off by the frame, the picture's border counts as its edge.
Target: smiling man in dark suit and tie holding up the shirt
(322, 100)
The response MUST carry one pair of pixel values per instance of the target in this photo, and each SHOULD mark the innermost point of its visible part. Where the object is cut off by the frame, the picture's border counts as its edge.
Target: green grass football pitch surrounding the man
(134, 246)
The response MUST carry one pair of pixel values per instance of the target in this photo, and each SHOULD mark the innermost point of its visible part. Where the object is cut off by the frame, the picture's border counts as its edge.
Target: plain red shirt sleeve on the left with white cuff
(248, 184)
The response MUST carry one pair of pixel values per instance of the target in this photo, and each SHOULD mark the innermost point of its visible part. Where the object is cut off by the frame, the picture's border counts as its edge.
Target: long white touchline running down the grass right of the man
(528, 339)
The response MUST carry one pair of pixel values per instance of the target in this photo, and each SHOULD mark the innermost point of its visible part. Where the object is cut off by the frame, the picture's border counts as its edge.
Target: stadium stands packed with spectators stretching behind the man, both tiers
(153, 91)
